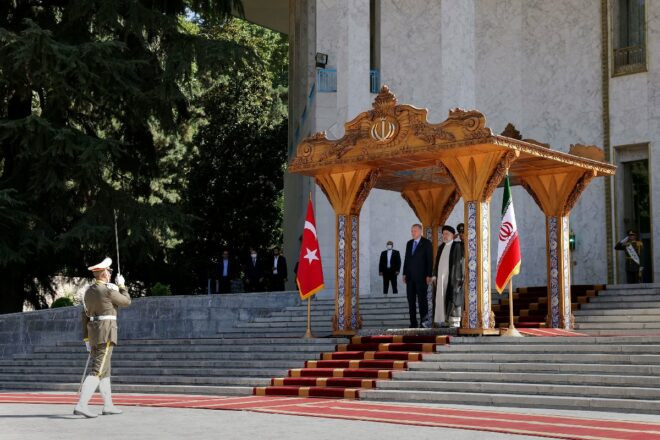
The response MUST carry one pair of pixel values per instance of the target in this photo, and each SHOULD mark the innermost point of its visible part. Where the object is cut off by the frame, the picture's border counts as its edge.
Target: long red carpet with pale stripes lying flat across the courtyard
(479, 420)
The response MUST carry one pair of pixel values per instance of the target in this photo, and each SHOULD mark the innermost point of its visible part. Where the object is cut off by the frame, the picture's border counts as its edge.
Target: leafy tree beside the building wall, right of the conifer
(235, 181)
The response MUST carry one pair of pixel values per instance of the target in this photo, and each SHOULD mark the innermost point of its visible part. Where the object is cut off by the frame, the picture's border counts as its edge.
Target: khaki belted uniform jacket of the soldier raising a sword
(102, 299)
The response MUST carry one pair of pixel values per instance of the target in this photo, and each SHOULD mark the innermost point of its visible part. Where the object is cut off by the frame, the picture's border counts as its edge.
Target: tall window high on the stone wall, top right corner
(629, 36)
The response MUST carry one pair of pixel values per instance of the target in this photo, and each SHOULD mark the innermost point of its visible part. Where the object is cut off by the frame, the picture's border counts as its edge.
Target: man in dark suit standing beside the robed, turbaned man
(417, 272)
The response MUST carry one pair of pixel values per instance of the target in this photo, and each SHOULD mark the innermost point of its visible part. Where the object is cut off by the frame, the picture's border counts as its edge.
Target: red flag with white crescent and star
(310, 271)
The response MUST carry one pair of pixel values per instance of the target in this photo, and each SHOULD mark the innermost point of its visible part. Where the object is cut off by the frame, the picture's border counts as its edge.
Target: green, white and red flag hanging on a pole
(508, 247)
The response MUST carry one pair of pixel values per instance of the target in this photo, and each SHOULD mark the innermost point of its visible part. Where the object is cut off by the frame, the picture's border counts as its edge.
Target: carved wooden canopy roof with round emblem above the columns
(398, 140)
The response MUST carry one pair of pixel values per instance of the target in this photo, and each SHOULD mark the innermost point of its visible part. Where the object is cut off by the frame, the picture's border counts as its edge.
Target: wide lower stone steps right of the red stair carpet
(605, 373)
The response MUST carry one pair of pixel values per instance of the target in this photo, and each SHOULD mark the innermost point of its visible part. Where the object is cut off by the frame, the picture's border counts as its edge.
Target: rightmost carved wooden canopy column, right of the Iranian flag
(556, 193)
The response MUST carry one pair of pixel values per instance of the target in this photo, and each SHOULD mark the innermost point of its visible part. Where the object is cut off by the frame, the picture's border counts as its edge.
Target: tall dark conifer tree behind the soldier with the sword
(97, 111)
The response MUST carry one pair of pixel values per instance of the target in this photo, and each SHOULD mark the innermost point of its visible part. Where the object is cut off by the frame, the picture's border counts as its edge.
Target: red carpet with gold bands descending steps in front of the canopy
(353, 366)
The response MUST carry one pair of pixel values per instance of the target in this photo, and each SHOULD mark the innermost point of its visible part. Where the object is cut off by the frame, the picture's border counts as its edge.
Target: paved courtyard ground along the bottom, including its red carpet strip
(171, 417)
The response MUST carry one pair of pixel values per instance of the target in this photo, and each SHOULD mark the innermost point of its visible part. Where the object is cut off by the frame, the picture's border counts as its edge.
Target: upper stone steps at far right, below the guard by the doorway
(621, 310)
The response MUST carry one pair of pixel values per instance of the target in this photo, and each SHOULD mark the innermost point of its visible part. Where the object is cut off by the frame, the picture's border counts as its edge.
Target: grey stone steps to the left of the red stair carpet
(243, 357)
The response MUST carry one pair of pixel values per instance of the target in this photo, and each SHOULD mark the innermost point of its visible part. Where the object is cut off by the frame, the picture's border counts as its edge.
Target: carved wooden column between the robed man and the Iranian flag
(476, 175)
